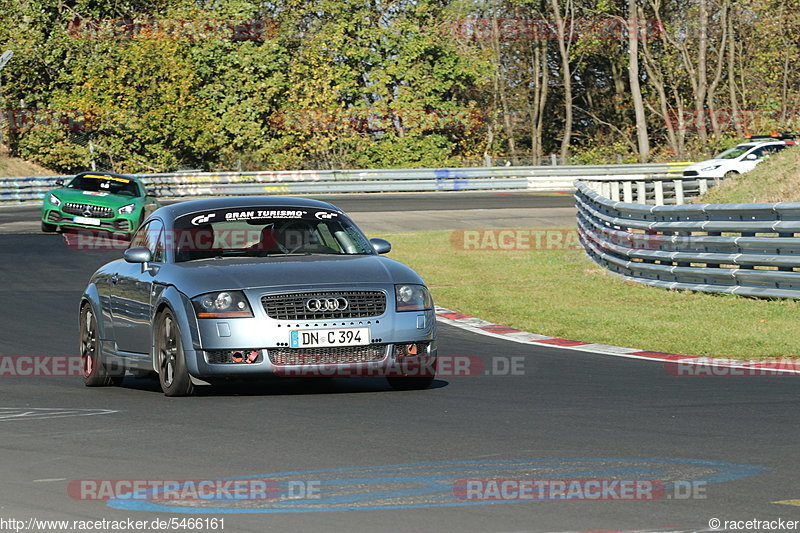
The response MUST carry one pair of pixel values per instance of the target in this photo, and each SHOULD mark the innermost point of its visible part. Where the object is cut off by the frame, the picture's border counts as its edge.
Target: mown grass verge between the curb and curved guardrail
(564, 294)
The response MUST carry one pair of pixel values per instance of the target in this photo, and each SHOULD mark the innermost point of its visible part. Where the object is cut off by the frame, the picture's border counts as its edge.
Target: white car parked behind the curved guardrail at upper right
(742, 157)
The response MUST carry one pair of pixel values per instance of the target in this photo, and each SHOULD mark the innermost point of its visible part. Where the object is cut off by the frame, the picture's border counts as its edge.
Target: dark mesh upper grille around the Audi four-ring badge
(361, 304)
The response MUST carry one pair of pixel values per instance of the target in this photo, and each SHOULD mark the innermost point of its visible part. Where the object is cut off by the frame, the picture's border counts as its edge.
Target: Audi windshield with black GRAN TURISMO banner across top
(266, 231)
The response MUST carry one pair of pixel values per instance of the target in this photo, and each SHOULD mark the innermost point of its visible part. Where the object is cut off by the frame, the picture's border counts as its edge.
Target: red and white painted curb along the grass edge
(482, 327)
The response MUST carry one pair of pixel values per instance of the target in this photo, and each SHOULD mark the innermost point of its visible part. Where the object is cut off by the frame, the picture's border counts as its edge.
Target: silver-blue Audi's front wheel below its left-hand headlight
(170, 358)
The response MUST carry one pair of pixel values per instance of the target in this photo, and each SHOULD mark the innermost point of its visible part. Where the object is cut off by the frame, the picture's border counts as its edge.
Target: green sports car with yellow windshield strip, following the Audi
(98, 200)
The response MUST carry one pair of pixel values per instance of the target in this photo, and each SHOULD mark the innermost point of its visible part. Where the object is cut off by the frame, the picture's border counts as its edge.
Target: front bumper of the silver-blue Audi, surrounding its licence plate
(400, 344)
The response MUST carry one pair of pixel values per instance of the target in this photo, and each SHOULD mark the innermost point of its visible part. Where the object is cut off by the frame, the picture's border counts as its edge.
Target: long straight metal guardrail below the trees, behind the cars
(184, 184)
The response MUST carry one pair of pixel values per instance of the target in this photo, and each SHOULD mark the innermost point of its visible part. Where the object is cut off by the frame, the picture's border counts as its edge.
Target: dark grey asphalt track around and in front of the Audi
(377, 460)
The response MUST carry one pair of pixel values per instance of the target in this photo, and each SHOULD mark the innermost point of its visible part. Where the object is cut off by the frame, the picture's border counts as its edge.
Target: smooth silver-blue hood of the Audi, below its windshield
(197, 277)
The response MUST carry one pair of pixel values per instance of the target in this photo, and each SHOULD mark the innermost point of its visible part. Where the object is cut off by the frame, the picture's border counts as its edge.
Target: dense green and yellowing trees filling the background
(144, 85)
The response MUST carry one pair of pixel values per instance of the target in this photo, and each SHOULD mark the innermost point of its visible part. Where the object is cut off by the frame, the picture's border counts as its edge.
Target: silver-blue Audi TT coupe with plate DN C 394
(252, 287)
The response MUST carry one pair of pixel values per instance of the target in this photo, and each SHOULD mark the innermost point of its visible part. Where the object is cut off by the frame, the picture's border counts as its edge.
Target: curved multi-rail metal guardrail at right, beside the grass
(748, 249)
